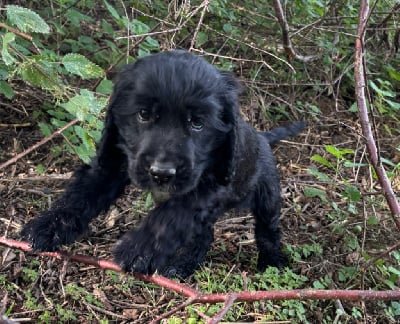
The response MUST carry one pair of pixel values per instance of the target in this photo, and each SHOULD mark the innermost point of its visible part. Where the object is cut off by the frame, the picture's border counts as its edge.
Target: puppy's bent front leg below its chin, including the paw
(173, 239)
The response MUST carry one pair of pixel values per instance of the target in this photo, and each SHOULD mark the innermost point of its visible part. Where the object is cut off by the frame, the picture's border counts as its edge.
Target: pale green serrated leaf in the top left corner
(27, 20)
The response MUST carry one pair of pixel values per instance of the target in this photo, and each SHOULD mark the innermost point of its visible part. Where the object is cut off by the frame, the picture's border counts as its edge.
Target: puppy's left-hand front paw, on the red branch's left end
(50, 230)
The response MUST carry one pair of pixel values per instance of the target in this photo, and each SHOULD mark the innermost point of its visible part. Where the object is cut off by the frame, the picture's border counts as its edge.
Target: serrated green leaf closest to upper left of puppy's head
(79, 65)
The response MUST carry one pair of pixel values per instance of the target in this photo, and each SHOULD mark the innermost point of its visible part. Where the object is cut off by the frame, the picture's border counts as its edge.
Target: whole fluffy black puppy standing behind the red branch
(173, 127)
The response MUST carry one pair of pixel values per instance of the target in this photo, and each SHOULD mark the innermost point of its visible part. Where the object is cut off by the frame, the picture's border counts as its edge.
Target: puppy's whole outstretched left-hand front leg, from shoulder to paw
(93, 188)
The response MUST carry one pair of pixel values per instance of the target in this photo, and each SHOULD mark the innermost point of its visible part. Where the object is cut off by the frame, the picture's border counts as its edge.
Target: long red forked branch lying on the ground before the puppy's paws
(212, 298)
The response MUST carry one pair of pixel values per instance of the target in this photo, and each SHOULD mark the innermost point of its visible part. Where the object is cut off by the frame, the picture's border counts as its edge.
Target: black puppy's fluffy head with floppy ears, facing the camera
(176, 117)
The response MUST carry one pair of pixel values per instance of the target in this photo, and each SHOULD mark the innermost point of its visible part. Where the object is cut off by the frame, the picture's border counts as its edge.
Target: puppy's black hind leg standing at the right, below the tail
(266, 209)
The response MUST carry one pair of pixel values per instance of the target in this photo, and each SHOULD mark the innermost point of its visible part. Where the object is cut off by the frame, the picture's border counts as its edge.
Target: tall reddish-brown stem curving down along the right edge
(360, 88)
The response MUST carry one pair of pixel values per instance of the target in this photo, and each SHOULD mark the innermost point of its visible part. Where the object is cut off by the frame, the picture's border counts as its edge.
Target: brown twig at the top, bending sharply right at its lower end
(287, 43)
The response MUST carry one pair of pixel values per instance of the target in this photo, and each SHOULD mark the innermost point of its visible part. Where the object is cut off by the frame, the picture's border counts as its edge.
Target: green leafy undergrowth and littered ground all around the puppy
(334, 218)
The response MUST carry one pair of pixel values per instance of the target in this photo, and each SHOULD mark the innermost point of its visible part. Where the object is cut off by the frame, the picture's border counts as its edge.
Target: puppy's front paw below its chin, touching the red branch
(138, 251)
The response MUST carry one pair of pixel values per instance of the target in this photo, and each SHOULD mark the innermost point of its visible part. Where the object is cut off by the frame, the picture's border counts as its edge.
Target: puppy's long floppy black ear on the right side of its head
(231, 116)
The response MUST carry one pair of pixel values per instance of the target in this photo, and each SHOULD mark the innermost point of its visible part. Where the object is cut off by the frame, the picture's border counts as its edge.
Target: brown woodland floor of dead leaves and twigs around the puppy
(33, 285)
